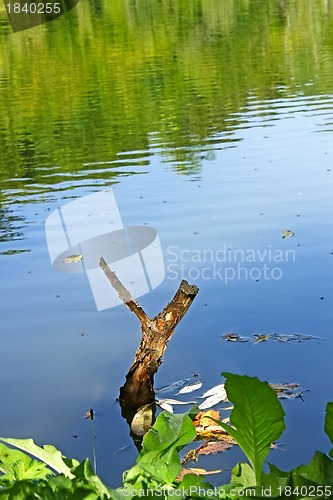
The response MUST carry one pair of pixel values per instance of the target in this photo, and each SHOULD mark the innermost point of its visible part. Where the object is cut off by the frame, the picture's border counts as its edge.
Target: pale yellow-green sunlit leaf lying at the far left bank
(48, 454)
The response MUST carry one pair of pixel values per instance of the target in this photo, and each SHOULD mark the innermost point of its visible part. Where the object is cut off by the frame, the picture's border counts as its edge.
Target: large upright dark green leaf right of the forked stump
(257, 418)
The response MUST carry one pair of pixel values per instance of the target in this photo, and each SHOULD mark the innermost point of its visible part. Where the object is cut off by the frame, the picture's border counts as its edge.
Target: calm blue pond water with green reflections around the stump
(212, 122)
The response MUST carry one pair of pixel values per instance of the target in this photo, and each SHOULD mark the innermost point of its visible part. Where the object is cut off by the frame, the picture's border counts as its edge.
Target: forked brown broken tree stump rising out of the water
(155, 335)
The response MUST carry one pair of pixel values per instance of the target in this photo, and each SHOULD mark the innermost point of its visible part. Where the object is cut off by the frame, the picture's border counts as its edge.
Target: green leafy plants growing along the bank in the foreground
(258, 419)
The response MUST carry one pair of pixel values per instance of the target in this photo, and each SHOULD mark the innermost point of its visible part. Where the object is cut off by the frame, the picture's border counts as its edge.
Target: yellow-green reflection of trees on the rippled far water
(114, 77)
